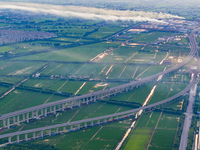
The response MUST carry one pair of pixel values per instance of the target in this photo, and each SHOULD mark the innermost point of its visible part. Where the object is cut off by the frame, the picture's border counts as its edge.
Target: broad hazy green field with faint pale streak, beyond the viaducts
(77, 54)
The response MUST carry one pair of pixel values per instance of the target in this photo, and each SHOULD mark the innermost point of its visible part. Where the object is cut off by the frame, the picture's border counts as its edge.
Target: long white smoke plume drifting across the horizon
(88, 12)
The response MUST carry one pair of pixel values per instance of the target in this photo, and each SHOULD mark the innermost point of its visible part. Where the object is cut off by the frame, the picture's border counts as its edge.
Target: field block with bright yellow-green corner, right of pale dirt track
(157, 122)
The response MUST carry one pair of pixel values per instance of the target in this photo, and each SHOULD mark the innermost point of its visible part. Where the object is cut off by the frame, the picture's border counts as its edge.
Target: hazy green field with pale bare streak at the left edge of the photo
(21, 68)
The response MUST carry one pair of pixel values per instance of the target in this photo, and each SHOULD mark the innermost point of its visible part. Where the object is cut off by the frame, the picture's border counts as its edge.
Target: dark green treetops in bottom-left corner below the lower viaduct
(29, 146)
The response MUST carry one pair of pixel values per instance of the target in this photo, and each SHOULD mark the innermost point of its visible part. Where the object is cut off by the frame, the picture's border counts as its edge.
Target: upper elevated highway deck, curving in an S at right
(193, 52)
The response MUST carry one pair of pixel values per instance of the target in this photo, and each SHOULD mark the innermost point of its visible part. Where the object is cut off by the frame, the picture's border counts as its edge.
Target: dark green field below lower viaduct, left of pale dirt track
(92, 138)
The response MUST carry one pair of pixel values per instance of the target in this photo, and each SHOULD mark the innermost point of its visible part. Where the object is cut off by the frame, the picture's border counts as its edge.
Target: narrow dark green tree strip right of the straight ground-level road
(192, 132)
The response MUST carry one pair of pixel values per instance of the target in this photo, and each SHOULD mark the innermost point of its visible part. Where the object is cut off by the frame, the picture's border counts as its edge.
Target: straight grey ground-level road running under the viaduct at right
(188, 119)
